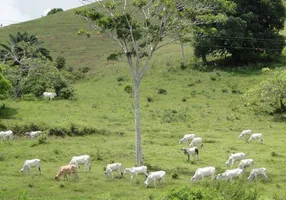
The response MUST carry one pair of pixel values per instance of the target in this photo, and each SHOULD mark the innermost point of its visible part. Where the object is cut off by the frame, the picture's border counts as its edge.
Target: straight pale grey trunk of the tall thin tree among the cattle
(139, 160)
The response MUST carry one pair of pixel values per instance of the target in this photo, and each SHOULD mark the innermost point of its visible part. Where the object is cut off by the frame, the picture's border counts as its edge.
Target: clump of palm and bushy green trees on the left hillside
(31, 69)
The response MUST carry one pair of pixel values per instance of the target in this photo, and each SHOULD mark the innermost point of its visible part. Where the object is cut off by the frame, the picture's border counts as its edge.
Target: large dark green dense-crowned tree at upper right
(251, 30)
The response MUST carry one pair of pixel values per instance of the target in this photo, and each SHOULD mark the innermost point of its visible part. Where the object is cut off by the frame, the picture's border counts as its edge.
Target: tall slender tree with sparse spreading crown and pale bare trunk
(140, 28)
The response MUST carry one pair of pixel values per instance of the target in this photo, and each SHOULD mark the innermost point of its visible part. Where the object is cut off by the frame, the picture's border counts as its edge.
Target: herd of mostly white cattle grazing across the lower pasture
(200, 173)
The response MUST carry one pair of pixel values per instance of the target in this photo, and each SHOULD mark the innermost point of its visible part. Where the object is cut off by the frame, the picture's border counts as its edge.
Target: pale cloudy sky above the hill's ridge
(15, 11)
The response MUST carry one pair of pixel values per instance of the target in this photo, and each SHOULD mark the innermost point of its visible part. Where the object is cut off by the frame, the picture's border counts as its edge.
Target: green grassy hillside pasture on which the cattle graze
(209, 104)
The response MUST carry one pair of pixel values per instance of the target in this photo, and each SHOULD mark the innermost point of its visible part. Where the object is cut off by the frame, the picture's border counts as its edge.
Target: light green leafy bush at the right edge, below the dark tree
(269, 95)
